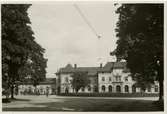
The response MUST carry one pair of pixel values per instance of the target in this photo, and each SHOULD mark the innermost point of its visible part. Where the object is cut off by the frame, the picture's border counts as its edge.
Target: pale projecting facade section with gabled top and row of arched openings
(109, 79)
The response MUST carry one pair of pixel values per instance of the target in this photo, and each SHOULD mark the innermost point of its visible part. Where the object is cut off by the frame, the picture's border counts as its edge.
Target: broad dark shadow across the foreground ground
(105, 105)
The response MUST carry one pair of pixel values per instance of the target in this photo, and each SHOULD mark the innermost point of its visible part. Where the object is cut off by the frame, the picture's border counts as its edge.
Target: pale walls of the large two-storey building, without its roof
(109, 80)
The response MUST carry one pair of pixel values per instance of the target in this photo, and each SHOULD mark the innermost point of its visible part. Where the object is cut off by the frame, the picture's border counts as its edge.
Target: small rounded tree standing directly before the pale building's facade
(80, 79)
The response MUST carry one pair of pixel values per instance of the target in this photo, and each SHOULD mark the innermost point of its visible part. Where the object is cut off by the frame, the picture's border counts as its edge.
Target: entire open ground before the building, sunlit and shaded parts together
(58, 103)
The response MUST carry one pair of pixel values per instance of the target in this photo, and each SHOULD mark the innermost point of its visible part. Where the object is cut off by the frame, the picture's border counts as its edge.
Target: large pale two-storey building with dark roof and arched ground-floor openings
(114, 77)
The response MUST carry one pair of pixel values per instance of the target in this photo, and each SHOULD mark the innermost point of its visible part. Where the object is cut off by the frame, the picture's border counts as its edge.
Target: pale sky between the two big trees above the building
(62, 32)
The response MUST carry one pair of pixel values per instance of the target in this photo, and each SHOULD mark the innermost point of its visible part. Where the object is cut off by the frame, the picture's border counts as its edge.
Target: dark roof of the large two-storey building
(93, 70)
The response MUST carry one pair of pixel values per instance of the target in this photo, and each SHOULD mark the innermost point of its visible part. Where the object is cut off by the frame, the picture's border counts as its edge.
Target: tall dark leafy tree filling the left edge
(21, 55)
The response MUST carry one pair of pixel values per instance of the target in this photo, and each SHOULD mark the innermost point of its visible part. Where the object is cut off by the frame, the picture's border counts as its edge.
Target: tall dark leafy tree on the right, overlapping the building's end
(140, 41)
